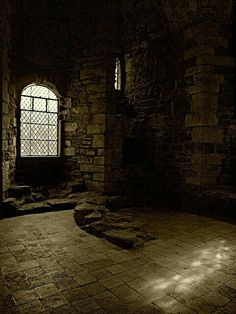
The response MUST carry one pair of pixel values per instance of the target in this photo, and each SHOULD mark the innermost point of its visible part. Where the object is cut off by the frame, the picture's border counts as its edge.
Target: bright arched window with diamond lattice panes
(39, 127)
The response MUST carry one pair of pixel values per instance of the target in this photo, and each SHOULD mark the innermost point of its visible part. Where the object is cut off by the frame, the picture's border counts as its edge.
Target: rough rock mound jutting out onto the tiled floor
(97, 219)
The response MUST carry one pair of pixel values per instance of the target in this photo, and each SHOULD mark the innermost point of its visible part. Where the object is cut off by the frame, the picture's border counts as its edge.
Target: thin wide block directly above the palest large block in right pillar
(206, 119)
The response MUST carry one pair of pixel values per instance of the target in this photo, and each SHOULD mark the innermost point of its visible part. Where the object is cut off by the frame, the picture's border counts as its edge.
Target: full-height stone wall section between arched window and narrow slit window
(86, 129)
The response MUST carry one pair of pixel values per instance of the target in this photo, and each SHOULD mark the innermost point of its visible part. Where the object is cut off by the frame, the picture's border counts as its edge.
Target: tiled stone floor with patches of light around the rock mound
(48, 264)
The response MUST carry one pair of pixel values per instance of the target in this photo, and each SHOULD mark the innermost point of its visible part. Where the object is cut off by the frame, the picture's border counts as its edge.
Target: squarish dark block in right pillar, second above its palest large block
(204, 102)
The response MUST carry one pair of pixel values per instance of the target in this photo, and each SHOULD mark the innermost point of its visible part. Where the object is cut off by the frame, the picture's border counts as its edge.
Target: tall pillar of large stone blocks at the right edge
(211, 117)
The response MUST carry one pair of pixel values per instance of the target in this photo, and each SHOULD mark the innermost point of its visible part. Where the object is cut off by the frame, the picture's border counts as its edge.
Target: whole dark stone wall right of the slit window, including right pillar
(178, 97)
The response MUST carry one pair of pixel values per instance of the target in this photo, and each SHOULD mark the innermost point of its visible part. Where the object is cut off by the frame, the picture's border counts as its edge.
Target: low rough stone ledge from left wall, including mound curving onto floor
(94, 212)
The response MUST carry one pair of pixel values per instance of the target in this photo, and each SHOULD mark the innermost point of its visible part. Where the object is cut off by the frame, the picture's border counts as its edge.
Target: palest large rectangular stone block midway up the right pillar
(207, 135)
